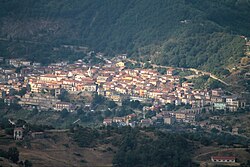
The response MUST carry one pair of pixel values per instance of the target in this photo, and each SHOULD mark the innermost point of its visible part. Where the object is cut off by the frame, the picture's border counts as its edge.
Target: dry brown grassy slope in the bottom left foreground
(58, 149)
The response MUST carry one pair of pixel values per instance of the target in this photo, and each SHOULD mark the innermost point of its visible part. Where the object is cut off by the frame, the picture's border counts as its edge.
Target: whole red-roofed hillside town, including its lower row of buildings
(25, 83)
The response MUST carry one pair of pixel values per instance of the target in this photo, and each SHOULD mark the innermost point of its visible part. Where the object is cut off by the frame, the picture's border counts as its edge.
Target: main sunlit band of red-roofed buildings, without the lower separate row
(111, 80)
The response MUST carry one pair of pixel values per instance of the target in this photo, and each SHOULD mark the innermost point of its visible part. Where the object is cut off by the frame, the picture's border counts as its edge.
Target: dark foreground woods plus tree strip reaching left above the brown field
(135, 147)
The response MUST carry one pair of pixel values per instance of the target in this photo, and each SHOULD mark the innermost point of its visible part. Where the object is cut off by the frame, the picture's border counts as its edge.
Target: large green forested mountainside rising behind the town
(186, 33)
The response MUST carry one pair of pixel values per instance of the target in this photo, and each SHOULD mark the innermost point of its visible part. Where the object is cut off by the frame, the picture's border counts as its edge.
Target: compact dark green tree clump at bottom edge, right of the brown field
(166, 150)
